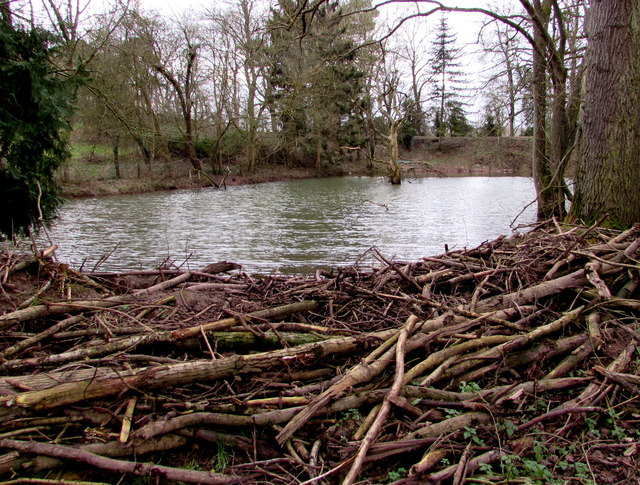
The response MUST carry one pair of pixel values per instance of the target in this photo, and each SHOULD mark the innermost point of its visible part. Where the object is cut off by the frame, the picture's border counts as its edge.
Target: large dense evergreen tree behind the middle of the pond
(313, 79)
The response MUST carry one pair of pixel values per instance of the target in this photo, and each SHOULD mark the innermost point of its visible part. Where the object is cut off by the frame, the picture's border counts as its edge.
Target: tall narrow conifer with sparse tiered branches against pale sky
(448, 81)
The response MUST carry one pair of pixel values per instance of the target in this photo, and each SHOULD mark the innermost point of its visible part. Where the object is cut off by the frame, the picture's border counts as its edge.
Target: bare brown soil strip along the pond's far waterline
(427, 157)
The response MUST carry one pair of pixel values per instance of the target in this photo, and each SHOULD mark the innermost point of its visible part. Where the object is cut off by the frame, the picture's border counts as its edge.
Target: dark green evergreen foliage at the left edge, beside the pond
(34, 113)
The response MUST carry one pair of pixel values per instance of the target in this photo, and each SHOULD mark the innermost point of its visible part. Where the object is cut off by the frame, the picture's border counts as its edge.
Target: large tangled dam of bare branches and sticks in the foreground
(515, 359)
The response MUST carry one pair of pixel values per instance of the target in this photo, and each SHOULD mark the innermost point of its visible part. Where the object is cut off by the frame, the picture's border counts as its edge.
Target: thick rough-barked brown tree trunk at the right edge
(609, 166)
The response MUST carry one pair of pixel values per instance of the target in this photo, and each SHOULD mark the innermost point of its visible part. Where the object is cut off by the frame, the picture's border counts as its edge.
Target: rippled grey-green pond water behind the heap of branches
(295, 226)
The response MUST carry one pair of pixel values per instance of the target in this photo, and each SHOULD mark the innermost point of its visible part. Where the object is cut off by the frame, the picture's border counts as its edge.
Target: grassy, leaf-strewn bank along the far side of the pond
(92, 171)
